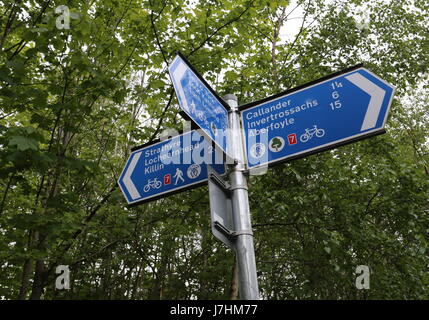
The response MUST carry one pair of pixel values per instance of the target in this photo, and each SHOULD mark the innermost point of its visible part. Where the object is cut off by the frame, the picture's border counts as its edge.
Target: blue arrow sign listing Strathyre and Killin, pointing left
(168, 167)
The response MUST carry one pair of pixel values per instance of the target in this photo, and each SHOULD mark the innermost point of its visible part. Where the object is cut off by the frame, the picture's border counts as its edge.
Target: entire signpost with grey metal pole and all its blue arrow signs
(335, 110)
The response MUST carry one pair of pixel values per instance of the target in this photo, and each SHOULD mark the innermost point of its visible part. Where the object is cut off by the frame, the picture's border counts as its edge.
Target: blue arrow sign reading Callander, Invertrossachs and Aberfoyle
(332, 111)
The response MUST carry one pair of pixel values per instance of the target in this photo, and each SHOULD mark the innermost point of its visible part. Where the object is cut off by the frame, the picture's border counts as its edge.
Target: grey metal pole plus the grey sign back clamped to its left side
(230, 211)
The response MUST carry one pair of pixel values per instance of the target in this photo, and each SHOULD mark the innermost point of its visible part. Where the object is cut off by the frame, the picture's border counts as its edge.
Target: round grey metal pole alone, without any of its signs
(245, 251)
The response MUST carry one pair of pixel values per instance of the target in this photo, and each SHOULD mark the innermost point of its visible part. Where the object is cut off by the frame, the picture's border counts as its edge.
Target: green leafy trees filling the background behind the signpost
(74, 101)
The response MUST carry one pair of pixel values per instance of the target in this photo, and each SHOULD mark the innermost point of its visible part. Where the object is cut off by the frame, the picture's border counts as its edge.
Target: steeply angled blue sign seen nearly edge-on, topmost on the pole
(200, 102)
